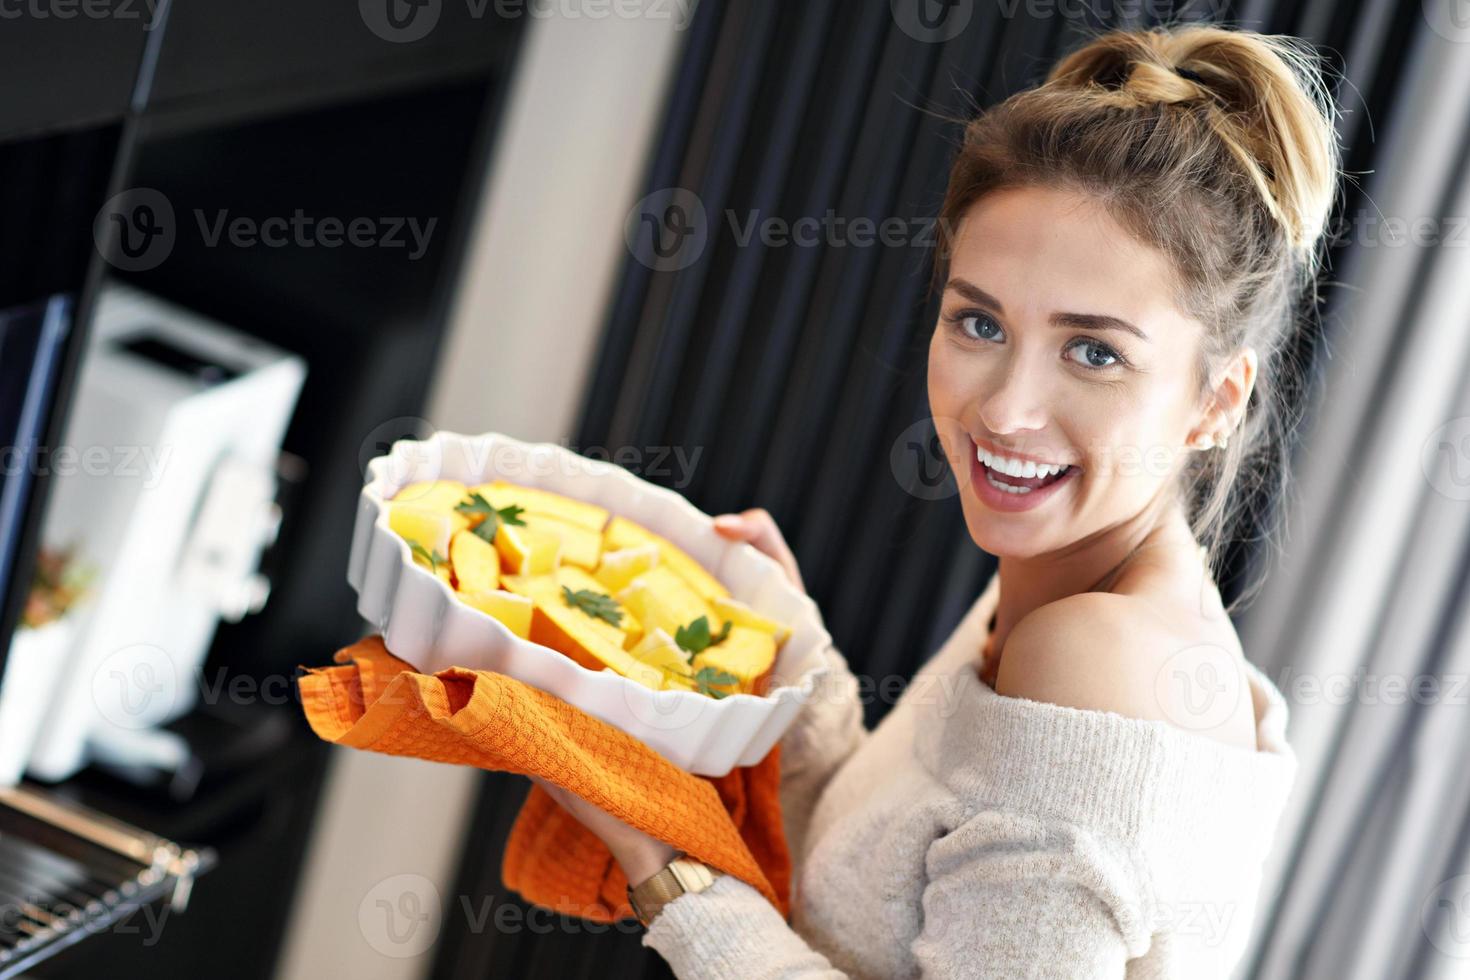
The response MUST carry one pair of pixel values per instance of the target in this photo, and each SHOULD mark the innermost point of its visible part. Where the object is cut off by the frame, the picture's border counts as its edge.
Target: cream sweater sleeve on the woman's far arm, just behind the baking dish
(824, 735)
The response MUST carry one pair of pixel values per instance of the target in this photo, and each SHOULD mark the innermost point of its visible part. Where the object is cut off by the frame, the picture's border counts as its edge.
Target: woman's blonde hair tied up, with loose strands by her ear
(1219, 149)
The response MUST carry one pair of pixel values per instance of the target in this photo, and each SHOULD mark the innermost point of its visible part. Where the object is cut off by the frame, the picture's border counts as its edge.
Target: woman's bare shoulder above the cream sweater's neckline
(1136, 656)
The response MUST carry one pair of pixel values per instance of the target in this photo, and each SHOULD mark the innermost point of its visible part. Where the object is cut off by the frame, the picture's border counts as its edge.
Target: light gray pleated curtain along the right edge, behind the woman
(1365, 621)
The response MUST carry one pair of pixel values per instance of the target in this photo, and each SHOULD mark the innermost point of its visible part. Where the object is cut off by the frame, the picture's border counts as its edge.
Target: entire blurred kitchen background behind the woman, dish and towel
(245, 248)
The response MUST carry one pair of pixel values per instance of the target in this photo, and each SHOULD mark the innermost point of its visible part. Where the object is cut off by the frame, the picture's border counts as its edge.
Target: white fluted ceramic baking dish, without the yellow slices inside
(426, 625)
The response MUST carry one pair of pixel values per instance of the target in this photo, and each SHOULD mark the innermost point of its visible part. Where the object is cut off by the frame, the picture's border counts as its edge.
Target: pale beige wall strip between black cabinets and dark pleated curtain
(549, 243)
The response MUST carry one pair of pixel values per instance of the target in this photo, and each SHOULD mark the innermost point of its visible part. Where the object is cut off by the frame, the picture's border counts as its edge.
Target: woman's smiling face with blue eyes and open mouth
(1059, 343)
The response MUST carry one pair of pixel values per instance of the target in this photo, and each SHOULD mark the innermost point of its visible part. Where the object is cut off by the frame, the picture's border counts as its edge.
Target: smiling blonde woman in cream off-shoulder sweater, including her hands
(1086, 779)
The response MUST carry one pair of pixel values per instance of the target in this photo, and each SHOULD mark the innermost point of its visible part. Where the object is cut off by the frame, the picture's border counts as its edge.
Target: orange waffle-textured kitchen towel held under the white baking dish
(480, 718)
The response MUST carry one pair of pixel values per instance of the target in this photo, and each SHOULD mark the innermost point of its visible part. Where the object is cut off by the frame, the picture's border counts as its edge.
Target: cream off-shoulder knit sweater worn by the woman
(975, 835)
